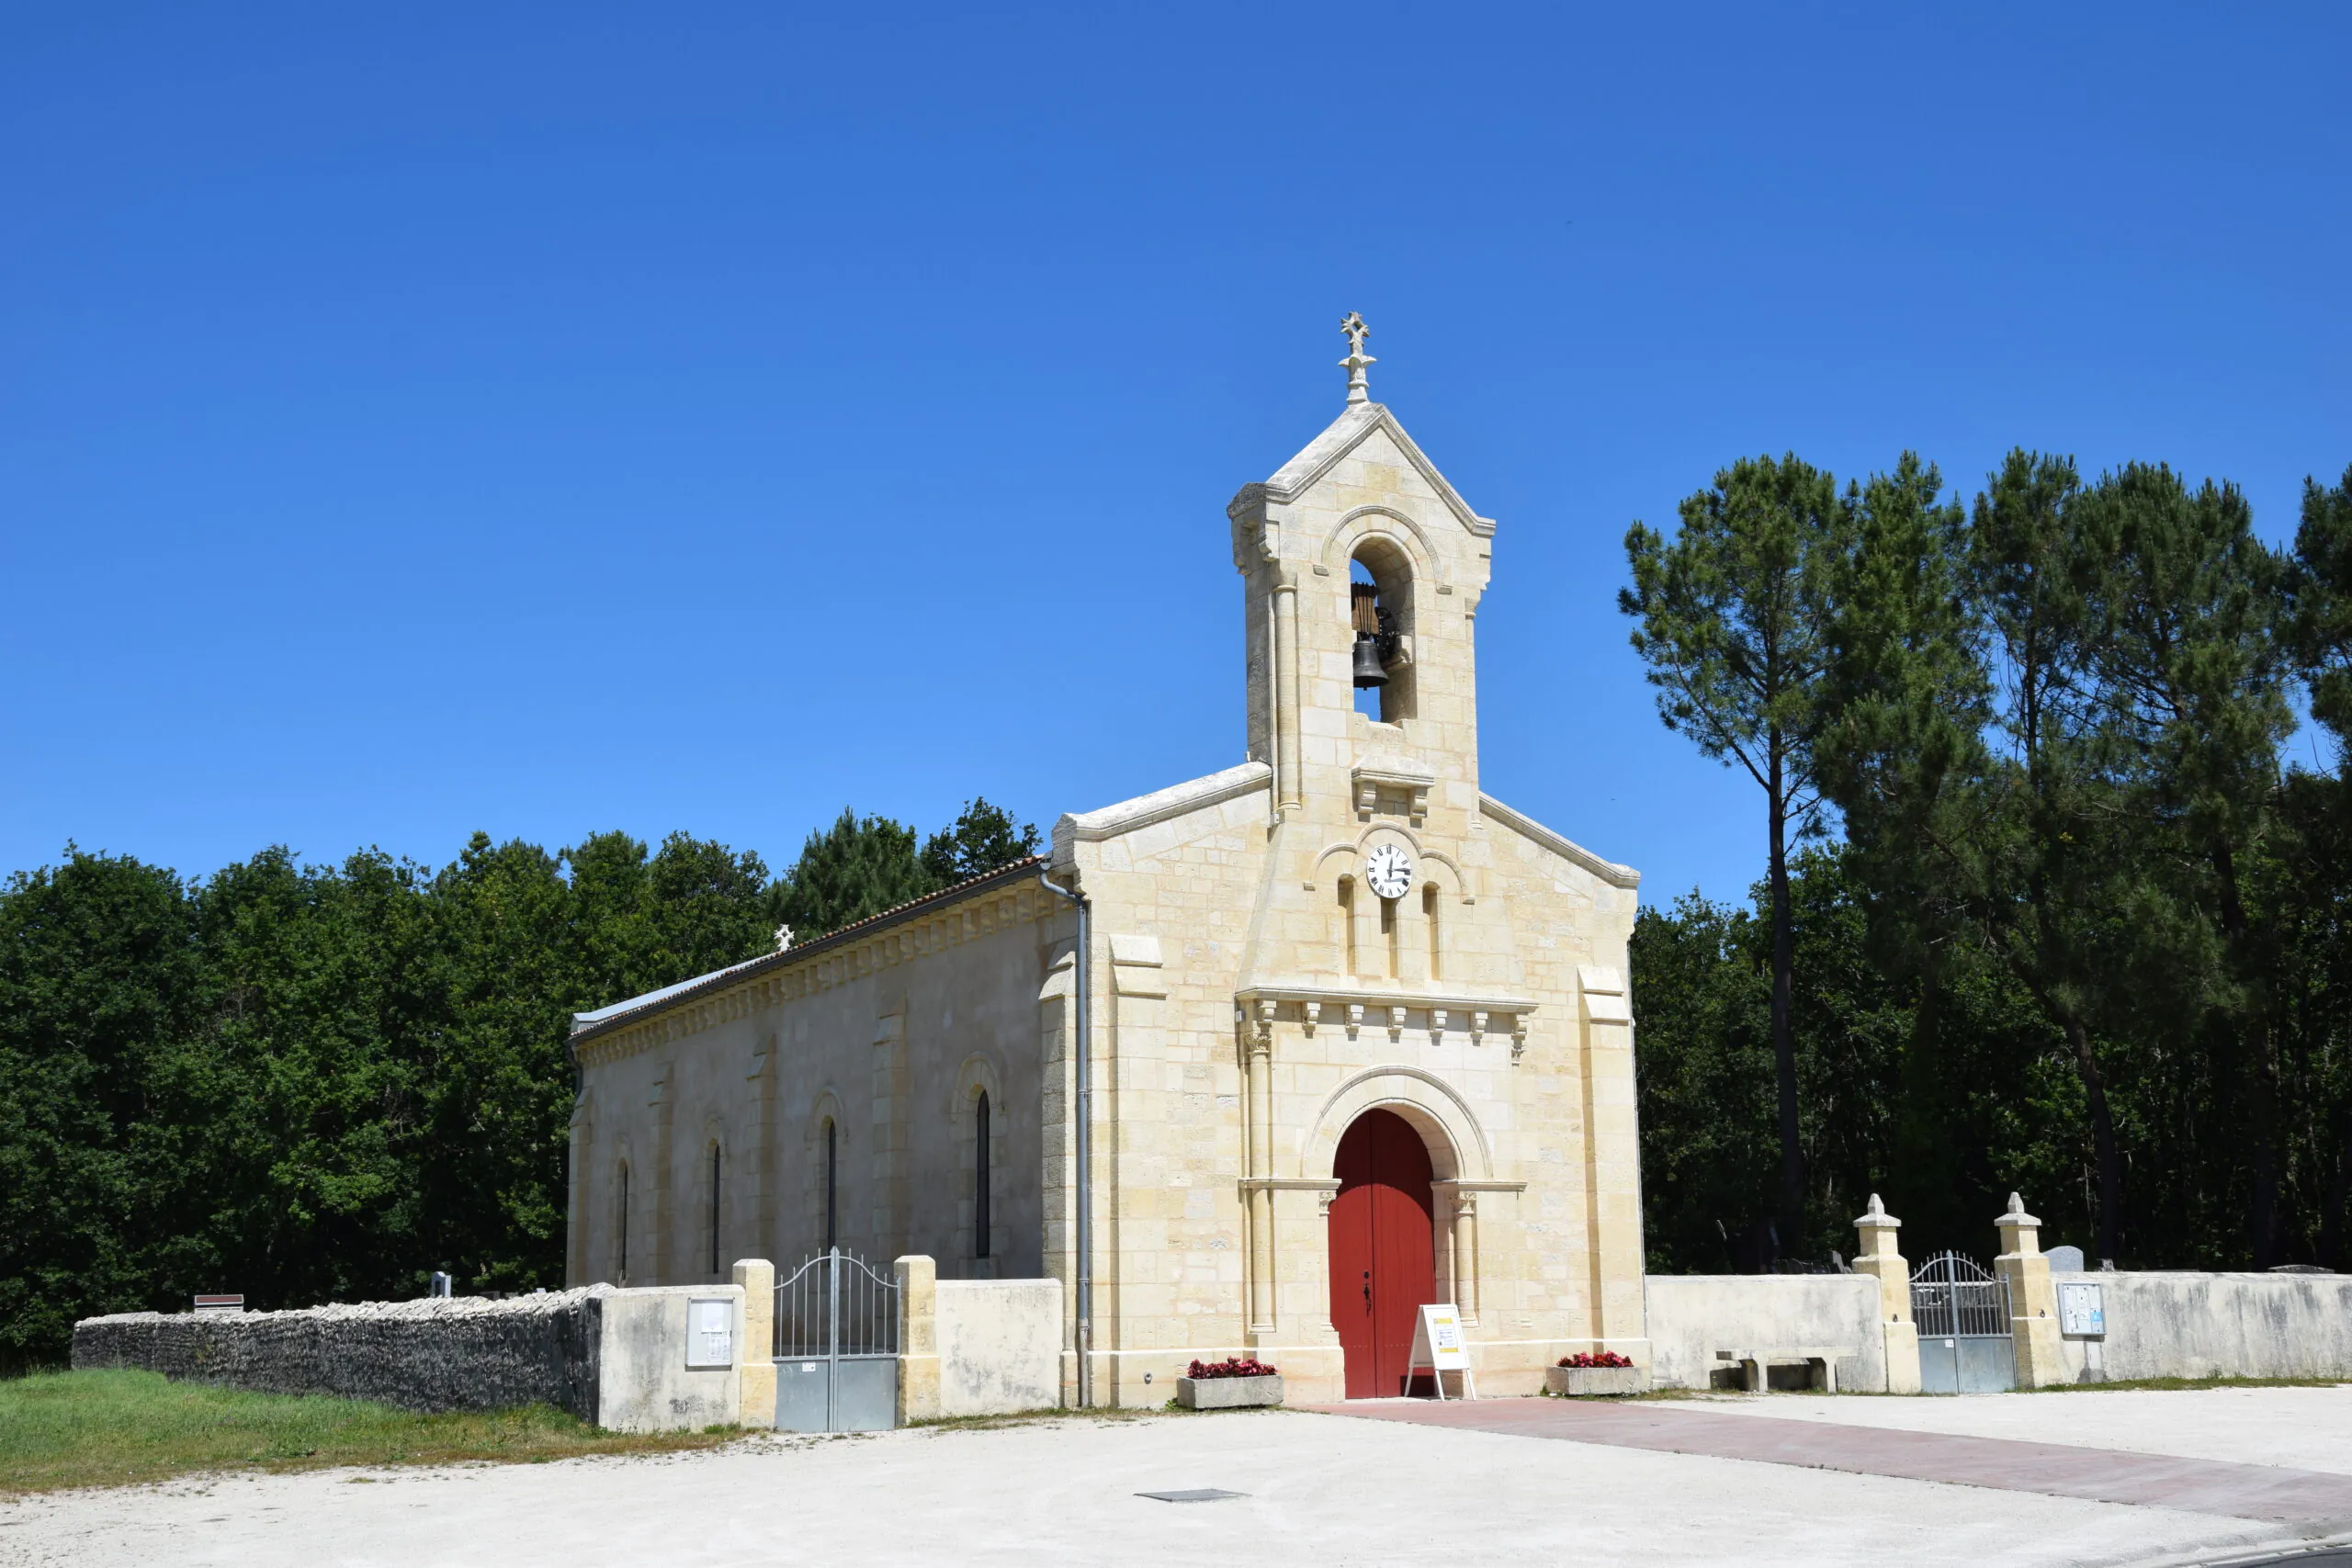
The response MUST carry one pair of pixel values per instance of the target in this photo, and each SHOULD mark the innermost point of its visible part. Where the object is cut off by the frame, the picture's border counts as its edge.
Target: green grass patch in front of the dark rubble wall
(116, 1428)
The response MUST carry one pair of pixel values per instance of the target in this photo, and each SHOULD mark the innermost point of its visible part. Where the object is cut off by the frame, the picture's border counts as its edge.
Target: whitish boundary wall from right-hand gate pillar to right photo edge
(2167, 1325)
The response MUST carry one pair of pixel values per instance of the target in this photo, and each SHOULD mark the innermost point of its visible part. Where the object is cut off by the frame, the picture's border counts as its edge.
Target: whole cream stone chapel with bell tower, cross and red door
(1255, 1066)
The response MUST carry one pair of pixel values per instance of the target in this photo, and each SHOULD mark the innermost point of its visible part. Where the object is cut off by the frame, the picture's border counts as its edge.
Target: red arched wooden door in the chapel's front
(1384, 1257)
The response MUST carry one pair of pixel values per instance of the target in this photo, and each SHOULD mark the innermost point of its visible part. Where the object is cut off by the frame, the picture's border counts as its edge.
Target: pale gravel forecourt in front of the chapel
(1321, 1489)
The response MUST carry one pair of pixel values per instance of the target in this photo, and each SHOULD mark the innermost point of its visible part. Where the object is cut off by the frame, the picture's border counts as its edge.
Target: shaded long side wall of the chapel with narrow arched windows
(890, 1043)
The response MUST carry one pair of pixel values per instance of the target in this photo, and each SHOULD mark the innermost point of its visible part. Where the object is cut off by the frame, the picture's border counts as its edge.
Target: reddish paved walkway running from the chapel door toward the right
(2059, 1470)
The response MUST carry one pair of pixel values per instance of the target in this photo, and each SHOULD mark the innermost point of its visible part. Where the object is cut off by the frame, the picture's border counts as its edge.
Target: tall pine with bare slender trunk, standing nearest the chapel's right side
(1735, 626)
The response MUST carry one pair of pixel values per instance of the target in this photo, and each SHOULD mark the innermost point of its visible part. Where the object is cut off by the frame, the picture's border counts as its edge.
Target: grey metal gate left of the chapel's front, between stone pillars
(836, 1346)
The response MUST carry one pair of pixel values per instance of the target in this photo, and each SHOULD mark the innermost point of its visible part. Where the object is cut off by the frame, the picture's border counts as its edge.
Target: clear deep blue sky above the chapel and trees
(422, 420)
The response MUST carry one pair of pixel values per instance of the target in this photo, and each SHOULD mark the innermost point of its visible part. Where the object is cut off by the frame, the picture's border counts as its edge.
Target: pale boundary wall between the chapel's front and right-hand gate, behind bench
(1695, 1315)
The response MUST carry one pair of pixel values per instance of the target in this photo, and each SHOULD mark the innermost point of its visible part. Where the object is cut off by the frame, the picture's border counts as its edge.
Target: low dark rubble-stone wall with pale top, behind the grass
(420, 1355)
